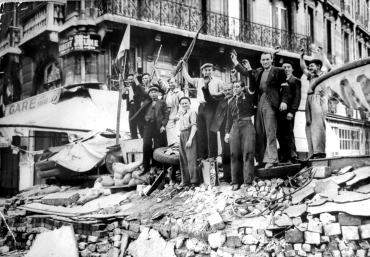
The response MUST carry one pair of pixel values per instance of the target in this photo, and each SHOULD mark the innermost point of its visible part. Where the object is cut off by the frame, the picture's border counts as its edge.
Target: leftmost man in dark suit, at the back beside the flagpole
(133, 100)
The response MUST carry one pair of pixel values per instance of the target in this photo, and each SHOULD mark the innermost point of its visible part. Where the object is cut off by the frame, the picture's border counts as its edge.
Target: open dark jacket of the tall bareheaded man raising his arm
(276, 93)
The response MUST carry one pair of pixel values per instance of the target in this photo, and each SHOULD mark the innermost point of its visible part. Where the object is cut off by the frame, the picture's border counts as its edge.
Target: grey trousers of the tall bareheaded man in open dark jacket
(266, 128)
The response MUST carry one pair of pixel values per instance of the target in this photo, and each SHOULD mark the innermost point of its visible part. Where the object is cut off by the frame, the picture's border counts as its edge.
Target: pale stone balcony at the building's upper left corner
(46, 17)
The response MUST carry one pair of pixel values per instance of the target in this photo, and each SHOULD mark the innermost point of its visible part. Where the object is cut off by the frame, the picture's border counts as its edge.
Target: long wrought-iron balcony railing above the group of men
(183, 17)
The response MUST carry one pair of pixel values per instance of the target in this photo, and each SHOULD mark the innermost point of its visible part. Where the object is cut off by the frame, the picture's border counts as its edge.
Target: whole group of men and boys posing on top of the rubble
(271, 94)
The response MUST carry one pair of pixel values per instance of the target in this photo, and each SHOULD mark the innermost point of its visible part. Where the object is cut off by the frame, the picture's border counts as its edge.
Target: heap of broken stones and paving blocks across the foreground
(318, 212)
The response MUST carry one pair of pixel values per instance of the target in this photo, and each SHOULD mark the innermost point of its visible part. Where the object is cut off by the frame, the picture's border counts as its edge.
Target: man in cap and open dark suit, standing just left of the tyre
(154, 114)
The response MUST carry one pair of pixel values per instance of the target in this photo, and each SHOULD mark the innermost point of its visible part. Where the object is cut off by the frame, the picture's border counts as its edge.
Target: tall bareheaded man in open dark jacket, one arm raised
(273, 95)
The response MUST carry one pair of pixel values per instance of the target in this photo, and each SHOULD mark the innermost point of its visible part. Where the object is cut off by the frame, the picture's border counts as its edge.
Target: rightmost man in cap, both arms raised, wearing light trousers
(316, 106)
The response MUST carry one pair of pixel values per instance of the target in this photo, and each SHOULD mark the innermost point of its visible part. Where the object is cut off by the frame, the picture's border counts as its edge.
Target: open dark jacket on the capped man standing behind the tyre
(161, 113)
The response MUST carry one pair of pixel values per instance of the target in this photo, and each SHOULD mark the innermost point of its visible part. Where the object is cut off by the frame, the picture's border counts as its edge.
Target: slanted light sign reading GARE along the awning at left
(33, 102)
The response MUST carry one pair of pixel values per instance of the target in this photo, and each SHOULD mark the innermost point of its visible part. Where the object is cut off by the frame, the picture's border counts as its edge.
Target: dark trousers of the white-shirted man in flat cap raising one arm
(207, 139)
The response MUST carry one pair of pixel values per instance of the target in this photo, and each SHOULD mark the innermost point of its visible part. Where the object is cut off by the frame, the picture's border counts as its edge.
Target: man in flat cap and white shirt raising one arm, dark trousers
(206, 139)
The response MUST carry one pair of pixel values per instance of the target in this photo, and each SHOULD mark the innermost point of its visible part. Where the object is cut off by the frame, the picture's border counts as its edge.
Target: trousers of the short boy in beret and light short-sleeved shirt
(188, 159)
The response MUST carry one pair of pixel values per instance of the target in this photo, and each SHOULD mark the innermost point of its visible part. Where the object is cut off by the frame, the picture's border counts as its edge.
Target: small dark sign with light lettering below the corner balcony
(79, 42)
